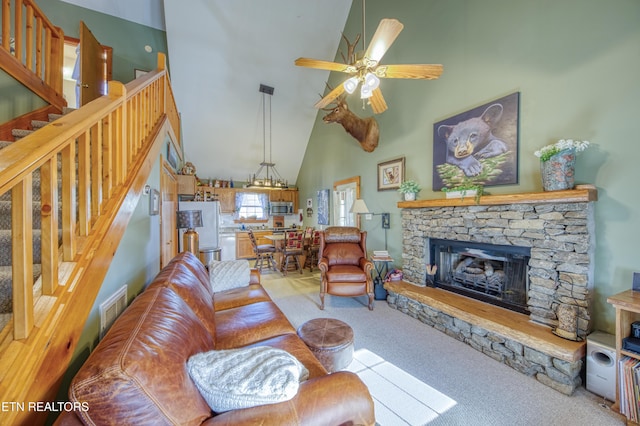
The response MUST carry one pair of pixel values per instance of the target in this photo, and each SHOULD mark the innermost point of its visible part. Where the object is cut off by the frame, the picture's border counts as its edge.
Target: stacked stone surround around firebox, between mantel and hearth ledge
(560, 236)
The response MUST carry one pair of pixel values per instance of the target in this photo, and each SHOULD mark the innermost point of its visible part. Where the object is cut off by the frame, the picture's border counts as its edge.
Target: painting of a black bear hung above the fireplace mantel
(478, 146)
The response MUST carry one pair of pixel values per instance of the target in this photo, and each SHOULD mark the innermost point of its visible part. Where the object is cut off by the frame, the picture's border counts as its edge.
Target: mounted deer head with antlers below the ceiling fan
(365, 130)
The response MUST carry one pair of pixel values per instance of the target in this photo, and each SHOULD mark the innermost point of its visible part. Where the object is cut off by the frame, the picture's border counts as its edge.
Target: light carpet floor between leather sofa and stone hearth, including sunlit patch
(409, 366)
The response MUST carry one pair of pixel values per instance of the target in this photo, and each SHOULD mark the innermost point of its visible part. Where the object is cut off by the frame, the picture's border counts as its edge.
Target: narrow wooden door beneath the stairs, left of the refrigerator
(168, 208)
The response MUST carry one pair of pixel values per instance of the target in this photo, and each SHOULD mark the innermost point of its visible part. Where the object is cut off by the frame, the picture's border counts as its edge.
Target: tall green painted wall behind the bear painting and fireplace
(576, 65)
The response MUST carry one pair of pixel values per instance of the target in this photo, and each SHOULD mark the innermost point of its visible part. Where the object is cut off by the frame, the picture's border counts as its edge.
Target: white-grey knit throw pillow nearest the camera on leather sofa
(243, 378)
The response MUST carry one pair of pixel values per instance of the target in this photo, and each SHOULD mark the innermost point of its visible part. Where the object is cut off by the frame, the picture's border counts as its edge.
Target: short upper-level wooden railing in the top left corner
(32, 49)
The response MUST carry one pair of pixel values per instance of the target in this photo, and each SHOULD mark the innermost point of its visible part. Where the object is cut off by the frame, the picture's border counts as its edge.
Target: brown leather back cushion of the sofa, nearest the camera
(137, 374)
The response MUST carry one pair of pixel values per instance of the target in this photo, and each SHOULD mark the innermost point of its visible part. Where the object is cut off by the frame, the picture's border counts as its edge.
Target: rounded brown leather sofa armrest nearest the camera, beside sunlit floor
(338, 398)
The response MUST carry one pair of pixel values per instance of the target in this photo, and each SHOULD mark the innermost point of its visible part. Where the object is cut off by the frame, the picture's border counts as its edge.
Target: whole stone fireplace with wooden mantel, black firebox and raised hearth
(551, 233)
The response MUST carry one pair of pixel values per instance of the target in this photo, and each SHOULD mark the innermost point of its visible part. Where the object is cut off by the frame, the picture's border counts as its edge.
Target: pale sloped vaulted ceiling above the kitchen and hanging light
(220, 51)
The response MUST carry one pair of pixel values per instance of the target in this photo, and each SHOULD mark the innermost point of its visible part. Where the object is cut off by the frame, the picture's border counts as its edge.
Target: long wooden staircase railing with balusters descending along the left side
(106, 150)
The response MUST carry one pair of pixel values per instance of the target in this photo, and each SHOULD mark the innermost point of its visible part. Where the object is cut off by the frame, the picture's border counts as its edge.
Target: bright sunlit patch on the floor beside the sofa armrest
(399, 398)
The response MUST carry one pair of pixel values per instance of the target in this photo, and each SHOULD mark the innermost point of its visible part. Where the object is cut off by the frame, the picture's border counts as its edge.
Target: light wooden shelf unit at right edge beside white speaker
(627, 305)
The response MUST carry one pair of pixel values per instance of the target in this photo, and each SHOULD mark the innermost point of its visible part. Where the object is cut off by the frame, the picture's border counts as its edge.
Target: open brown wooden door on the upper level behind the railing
(92, 67)
